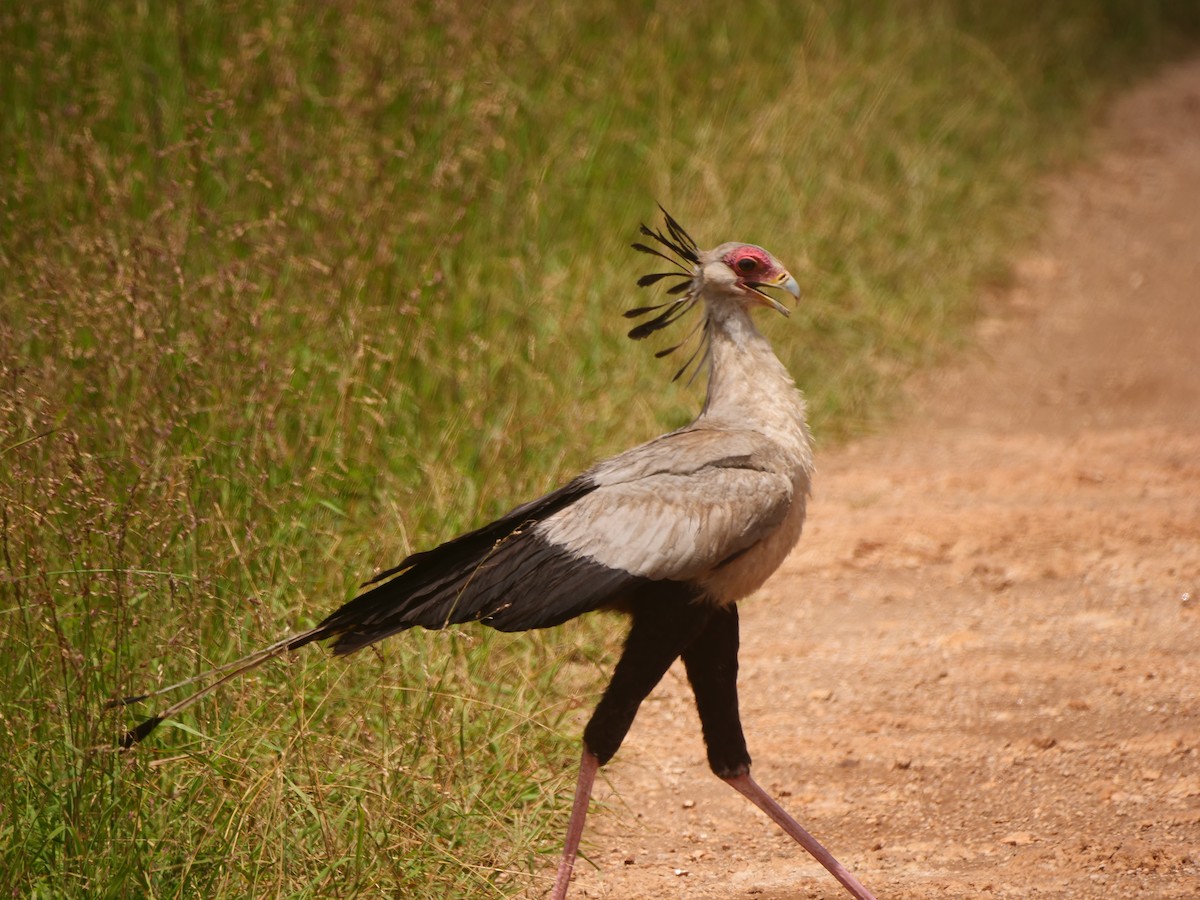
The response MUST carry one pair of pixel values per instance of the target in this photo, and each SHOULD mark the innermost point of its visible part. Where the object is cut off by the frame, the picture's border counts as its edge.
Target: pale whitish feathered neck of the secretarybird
(748, 387)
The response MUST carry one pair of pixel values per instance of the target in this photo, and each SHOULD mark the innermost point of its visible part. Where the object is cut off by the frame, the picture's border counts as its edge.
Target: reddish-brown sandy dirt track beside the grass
(981, 673)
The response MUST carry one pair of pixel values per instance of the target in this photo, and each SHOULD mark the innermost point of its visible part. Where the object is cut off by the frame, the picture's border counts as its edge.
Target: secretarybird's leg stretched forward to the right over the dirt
(712, 663)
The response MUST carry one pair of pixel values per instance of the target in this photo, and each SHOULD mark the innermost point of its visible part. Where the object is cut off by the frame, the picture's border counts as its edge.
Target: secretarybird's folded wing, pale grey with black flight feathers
(669, 511)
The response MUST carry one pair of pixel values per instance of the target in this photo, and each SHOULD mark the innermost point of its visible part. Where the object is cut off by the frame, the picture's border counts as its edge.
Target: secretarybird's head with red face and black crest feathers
(733, 275)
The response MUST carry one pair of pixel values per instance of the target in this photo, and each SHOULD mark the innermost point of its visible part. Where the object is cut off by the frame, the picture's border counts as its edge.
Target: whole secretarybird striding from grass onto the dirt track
(674, 533)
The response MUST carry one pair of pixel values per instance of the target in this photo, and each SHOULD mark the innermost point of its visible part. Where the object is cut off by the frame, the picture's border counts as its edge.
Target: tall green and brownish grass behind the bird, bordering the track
(289, 290)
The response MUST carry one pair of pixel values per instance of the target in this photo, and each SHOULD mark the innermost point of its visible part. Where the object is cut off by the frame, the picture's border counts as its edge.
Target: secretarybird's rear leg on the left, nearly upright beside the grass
(663, 628)
